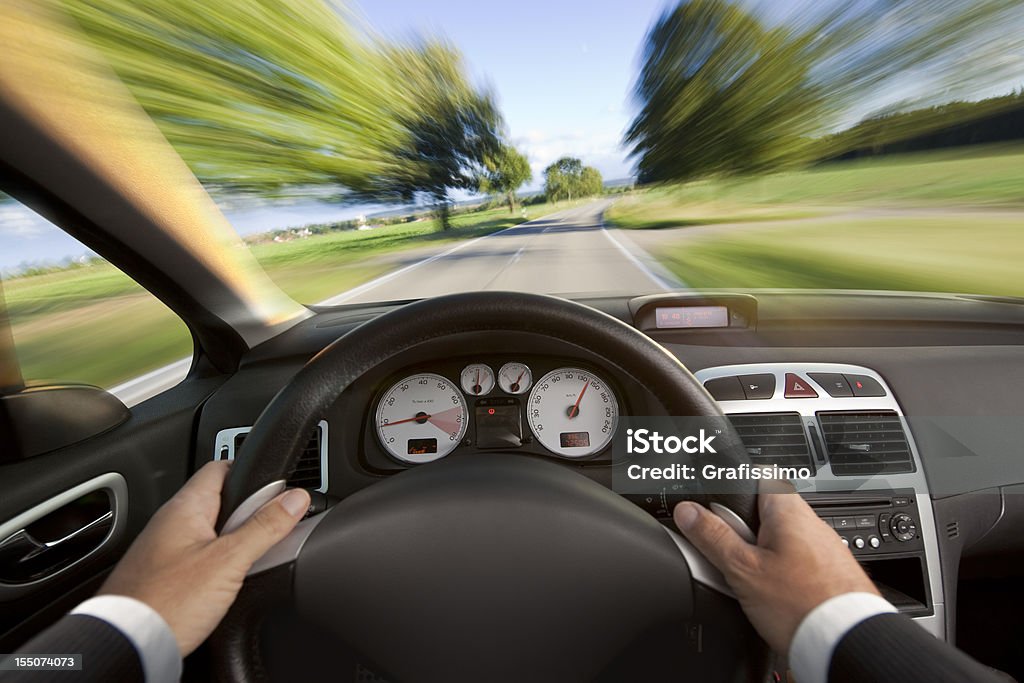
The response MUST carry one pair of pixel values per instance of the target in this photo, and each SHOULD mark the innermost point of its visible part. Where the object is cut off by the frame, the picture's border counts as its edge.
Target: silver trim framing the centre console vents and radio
(825, 481)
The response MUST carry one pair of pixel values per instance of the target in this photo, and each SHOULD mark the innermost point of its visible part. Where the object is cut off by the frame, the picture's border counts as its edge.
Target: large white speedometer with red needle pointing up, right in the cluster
(573, 413)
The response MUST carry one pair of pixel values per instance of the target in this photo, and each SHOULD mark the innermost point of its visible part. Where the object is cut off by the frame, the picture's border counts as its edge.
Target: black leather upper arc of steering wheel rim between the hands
(273, 448)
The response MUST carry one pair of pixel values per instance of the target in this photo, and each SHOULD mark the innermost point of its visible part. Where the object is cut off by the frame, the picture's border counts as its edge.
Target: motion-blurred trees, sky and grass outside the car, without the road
(807, 144)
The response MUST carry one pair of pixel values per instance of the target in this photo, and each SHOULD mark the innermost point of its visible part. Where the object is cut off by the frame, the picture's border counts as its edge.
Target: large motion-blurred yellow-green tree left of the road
(287, 96)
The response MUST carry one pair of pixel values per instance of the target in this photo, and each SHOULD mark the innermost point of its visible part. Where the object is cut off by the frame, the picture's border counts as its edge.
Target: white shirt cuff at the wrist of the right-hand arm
(824, 628)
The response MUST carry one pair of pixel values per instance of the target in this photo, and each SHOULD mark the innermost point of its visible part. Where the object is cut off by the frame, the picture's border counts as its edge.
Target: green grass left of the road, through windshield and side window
(95, 325)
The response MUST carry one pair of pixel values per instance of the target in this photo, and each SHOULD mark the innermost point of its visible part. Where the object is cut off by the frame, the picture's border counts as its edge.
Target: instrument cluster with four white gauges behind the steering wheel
(571, 411)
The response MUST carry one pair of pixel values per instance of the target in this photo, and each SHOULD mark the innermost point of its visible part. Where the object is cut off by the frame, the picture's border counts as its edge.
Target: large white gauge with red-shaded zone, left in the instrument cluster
(422, 418)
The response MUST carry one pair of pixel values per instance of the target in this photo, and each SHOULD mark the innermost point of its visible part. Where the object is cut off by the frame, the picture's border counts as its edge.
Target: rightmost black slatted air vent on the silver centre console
(866, 443)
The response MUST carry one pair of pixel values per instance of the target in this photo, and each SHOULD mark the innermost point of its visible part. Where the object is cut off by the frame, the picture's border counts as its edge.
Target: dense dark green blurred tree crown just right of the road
(720, 94)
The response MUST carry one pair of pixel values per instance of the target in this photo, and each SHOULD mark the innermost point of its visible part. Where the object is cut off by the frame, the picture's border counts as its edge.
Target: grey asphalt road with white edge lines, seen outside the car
(570, 253)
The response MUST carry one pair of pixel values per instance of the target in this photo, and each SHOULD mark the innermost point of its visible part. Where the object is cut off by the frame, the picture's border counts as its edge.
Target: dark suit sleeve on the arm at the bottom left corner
(107, 655)
